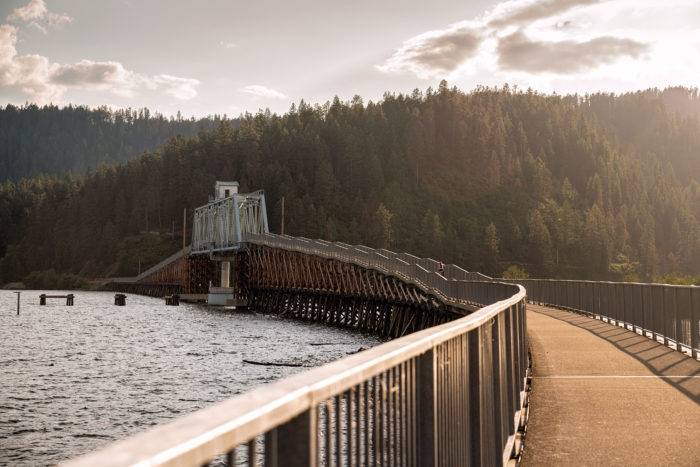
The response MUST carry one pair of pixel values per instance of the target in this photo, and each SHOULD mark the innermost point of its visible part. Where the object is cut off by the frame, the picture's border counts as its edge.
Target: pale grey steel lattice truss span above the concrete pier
(223, 224)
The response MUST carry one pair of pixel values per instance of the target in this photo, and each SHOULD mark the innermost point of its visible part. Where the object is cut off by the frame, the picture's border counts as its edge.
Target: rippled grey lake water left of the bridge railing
(72, 379)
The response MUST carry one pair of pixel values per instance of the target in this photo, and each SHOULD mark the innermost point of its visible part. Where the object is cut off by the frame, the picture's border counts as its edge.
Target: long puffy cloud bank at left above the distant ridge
(46, 82)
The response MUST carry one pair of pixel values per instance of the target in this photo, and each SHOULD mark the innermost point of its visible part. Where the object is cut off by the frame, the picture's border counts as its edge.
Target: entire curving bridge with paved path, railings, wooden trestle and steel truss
(477, 371)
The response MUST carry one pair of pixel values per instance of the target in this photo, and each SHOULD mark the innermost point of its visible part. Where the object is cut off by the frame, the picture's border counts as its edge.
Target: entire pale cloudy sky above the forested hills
(228, 56)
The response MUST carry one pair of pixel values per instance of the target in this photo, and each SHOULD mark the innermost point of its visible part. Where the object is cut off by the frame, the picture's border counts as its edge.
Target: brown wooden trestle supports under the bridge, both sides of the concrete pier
(303, 286)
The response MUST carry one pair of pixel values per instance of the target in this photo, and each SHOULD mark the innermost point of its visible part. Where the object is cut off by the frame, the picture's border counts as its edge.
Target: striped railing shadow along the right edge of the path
(676, 369)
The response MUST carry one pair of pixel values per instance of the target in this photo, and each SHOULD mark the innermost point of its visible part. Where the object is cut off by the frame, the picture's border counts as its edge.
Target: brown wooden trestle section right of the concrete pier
(312, 288)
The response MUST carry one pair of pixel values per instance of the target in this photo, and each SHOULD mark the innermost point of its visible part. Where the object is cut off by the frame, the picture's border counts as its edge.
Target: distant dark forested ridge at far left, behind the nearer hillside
(52, 140)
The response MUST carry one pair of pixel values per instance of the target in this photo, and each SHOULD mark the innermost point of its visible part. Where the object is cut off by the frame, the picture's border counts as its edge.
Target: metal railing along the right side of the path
(669, 314)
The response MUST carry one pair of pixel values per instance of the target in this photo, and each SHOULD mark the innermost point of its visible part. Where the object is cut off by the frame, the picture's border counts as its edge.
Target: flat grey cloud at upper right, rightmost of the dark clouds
(518, 52)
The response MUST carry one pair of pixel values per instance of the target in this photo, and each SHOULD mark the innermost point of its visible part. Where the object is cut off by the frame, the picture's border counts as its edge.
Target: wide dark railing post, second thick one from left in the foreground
(427, 410)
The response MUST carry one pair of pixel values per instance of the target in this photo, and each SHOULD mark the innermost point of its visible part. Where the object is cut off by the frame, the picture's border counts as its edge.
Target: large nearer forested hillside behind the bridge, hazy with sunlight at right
(600, 186)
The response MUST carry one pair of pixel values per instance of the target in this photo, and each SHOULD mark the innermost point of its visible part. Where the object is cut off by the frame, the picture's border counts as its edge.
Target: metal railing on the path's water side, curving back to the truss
(454, 394)
